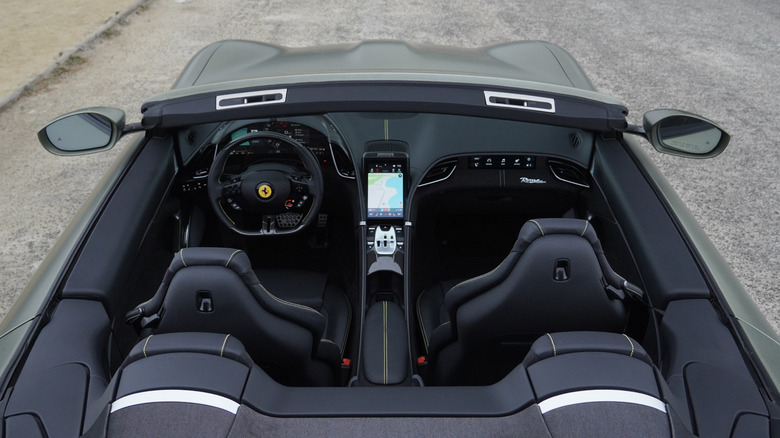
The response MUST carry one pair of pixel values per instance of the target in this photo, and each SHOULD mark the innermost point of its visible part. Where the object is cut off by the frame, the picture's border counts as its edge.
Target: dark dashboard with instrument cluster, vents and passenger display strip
(480, 159)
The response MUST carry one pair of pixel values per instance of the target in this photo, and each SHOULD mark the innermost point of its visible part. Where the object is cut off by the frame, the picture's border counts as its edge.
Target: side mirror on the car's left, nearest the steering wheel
(83, 132)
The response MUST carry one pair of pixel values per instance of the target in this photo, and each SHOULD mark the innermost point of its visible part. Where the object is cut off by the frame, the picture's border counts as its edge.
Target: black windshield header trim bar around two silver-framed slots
(415, 97)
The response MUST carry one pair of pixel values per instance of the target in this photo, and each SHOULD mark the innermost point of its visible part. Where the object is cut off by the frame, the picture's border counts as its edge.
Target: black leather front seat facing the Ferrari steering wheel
(297, 334)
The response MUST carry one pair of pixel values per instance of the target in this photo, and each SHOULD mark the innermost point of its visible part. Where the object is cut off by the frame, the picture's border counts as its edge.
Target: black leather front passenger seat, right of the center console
(556, 278)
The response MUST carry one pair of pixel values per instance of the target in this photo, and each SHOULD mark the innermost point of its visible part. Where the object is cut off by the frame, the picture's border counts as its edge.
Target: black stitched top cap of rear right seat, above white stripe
(557, 344)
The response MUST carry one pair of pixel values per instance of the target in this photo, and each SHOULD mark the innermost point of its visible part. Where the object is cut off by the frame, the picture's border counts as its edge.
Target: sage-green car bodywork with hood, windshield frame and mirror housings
(241, 76)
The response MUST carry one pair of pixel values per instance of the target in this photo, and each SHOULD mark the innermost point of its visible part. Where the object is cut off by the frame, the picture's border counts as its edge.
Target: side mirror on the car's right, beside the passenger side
(680, 133)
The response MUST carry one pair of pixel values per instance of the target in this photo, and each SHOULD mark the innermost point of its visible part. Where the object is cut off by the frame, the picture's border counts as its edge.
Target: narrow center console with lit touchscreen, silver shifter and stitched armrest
(385, 341)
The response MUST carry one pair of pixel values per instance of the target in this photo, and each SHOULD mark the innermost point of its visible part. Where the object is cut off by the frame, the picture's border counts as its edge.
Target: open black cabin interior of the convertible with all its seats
(459, 271)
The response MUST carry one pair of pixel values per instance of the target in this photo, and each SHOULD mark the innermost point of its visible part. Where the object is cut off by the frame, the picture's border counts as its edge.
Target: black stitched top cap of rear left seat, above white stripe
(208, 343)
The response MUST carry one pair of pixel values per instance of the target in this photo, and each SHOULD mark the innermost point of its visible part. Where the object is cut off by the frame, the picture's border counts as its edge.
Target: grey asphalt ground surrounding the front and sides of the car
(717, 58)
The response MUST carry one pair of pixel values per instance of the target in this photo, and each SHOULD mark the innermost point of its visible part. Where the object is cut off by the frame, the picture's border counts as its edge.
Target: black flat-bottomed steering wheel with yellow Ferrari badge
(266, 198)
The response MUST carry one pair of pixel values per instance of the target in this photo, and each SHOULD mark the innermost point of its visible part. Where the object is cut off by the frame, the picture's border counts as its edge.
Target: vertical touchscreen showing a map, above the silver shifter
(385, 193)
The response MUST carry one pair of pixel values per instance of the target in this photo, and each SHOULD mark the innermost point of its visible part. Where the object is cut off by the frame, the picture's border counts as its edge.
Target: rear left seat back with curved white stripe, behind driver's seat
(158, 392)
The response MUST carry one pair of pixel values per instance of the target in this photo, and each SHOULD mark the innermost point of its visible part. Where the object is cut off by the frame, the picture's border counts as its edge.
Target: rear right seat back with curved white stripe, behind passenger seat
(598, 384)
